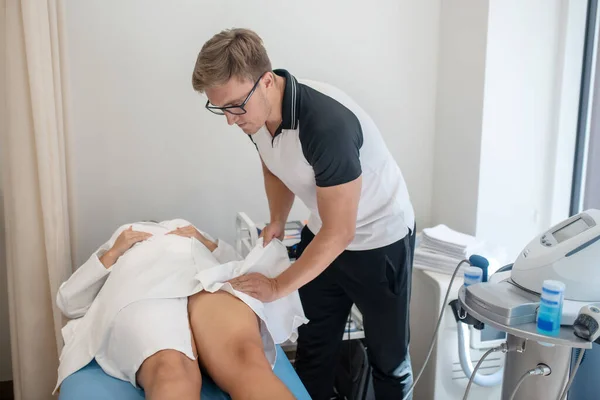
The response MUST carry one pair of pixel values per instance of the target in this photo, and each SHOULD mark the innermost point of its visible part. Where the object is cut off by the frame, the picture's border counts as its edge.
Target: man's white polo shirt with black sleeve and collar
(326, 139)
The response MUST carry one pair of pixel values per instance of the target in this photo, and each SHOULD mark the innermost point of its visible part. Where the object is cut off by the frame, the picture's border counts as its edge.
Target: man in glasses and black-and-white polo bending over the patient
(317, 144)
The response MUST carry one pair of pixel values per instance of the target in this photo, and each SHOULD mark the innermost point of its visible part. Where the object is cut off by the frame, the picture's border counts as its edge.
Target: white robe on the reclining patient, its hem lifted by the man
(166, 266)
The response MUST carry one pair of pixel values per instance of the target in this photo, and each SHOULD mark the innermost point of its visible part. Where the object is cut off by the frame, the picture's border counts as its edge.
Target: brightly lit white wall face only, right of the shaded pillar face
(519, 124)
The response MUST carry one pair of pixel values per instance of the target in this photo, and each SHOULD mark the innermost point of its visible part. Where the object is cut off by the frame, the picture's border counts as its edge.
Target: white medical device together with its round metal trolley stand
(568, 252)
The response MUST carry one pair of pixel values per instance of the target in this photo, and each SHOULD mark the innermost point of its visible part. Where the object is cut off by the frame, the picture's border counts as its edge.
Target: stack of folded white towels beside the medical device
(440, 249)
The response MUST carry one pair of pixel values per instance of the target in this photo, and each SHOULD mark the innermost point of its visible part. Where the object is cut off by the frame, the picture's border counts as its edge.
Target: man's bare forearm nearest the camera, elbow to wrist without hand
(318, 255)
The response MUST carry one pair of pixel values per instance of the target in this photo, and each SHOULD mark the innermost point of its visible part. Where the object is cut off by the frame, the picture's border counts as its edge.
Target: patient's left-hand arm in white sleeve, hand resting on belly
(75, 296)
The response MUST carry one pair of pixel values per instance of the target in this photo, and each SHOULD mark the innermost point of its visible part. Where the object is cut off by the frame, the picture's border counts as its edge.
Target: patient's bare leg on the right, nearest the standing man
(229, 346)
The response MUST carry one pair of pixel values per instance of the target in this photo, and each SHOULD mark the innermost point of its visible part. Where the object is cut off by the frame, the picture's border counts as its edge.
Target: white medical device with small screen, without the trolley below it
(567, 252)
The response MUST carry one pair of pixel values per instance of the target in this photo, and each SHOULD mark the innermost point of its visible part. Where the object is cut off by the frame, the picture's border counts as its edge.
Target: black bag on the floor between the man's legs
(353, 379)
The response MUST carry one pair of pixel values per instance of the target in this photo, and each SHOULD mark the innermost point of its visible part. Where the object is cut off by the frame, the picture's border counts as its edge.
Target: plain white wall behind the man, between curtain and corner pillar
(143, 147)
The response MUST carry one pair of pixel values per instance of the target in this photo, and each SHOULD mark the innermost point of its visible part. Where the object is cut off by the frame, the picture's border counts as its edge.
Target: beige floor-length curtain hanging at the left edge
(35, 189)
